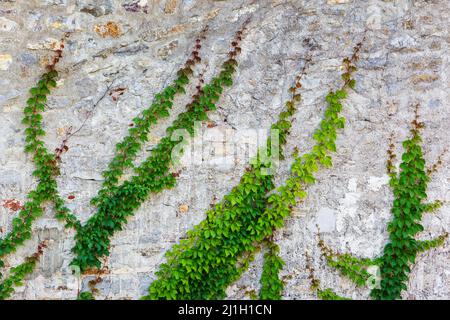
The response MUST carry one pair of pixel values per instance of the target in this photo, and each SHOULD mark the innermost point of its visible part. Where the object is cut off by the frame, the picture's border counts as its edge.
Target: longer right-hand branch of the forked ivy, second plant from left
(152, 175)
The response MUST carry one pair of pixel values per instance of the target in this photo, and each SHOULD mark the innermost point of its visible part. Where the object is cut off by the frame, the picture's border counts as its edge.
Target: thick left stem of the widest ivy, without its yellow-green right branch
(212, 255)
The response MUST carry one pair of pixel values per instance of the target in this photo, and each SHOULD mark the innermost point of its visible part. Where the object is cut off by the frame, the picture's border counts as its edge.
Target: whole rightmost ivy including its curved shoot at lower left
(409, 188)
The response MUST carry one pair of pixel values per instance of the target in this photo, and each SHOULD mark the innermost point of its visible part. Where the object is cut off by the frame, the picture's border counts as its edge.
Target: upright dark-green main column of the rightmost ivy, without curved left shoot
(409, 189)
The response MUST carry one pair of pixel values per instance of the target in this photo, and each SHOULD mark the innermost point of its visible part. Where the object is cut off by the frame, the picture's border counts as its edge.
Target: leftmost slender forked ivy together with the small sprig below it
(46, 171)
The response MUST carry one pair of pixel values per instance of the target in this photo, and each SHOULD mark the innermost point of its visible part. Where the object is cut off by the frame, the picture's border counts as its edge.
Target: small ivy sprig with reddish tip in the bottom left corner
(19, 273)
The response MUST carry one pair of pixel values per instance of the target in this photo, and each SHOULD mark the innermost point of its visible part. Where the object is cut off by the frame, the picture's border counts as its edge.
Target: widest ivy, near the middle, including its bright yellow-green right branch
(215, 252)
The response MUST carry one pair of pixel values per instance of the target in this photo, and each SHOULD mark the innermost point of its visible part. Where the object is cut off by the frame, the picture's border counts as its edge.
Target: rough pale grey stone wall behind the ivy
(405, 60)
